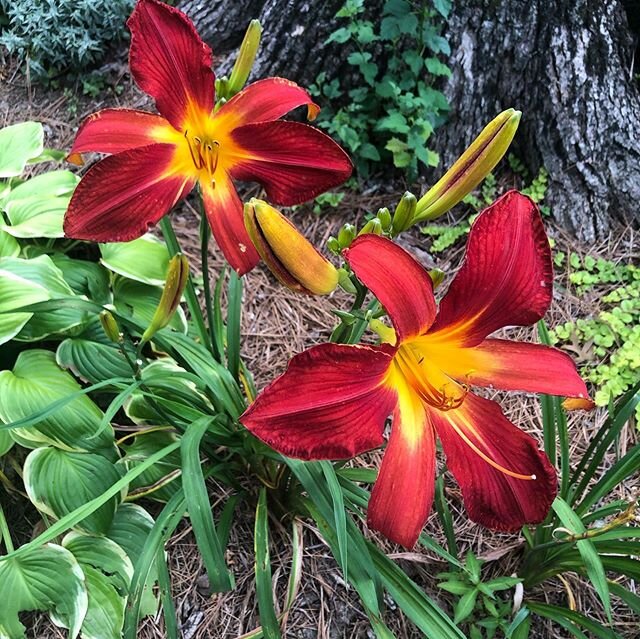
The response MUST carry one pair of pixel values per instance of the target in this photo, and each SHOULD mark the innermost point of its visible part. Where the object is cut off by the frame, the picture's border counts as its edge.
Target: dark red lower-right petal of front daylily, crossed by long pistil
(493, 497)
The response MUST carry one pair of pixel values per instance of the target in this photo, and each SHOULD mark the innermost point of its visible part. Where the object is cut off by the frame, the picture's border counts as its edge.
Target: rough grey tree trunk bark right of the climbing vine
(567, 64)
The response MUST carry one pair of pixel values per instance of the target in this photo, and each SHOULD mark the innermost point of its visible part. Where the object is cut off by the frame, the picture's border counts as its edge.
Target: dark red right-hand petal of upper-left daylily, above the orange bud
(294, 162)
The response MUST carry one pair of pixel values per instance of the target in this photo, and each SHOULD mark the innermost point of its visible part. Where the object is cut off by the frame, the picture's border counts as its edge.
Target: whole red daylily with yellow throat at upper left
(158, 159)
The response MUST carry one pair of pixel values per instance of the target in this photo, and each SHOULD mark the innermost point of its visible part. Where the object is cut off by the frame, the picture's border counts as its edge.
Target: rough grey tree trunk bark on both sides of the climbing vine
(567, 64)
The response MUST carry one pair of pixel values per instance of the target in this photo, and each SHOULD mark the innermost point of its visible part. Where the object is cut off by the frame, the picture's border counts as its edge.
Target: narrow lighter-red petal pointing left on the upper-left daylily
(117, 130)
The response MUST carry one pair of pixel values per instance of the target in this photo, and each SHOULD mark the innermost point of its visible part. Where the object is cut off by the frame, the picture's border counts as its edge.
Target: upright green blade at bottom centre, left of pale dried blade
(264, 588)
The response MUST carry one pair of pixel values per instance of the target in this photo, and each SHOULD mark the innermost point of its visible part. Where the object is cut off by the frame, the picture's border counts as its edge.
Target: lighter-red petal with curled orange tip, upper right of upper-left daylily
(263, 101)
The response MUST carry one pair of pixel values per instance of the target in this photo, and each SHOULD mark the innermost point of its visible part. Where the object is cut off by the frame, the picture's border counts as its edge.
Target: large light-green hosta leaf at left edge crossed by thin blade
(36, 382)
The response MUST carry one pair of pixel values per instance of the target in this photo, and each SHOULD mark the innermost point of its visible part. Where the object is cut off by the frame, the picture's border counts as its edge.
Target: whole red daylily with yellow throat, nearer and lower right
(333, 400)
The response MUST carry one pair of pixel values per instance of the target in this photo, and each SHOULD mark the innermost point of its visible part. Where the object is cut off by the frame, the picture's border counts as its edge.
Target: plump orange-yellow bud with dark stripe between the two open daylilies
(289, 255)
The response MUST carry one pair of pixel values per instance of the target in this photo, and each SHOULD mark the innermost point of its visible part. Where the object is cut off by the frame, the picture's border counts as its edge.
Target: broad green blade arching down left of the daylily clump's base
(199, 507)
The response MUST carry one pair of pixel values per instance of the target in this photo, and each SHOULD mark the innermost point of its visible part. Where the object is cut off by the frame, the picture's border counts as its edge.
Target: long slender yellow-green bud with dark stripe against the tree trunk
(471, 167)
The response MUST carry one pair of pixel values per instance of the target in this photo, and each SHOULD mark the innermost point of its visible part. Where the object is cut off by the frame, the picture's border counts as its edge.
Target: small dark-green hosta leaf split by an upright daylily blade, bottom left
(130, 529)
